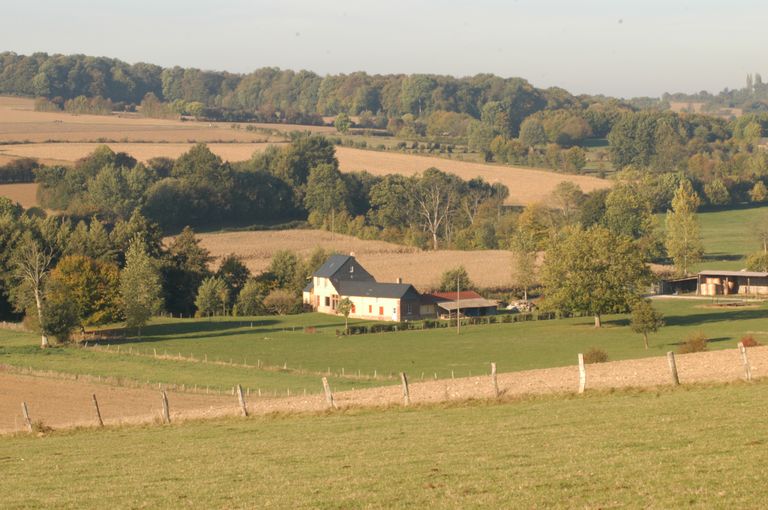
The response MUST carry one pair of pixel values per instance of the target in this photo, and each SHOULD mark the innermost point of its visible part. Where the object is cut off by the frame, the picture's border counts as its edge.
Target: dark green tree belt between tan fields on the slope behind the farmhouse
(299, 181)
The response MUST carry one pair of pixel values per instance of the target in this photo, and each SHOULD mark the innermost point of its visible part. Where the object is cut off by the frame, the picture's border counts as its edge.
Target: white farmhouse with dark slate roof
(343, 277)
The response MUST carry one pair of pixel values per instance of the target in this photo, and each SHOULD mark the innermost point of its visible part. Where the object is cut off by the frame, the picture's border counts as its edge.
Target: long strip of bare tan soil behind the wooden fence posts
(63, 403)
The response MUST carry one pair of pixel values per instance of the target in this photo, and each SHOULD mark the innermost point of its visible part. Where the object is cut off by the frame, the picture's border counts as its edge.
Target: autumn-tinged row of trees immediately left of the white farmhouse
(62, 277)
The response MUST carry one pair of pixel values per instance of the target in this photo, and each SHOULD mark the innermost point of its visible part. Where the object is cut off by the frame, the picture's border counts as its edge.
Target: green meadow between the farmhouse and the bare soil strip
(275, 342)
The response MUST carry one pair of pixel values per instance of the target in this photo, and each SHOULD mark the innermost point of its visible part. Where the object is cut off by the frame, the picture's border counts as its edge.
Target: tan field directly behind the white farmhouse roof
(386, 261)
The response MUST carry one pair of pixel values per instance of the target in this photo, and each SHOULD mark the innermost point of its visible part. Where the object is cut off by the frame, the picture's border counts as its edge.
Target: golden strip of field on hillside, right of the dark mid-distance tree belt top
(526, 185)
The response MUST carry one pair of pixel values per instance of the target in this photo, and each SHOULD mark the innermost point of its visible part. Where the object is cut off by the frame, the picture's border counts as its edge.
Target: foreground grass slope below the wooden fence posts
(694, 447)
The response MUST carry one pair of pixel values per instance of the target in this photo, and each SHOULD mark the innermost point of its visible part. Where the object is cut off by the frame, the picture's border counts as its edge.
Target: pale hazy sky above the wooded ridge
(616, 47)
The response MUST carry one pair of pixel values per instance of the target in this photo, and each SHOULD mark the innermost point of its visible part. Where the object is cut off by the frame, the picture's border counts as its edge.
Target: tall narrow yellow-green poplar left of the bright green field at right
(683, 240)
